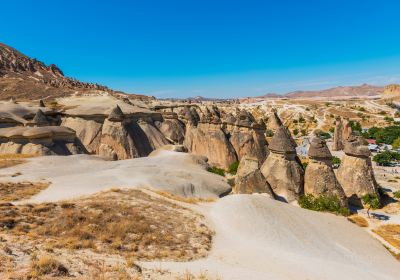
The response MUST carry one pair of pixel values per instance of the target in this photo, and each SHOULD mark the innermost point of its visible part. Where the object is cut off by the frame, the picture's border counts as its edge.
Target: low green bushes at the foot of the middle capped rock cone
(323, 203)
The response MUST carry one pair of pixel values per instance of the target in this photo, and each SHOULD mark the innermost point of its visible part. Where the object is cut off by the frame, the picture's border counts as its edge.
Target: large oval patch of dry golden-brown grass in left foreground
(124, 222)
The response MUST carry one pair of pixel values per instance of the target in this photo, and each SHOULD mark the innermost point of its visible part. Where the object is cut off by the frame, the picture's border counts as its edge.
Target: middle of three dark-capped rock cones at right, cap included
(319, 176)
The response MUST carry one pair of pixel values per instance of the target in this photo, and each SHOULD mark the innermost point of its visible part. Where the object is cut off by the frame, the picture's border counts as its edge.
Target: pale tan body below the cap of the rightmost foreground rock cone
(356, 176)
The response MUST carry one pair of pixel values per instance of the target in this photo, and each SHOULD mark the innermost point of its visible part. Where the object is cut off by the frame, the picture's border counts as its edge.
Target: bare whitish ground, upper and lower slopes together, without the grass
(255, 236)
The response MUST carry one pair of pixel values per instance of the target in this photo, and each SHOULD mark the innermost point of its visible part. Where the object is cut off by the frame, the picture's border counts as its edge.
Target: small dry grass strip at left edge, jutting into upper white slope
(21, 190)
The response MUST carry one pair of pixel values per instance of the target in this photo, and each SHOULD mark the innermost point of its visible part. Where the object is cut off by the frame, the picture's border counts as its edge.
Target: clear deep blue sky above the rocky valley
(211, 48)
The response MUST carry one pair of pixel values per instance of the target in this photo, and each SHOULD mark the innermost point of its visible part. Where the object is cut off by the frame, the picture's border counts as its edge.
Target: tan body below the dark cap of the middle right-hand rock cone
(320, 179)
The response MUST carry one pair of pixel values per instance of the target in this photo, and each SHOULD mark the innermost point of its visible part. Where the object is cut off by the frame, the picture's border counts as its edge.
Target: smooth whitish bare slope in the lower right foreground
(259, 238)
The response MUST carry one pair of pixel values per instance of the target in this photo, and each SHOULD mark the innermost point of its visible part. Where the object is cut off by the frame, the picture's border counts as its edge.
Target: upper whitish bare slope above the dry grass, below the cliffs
(74, 176)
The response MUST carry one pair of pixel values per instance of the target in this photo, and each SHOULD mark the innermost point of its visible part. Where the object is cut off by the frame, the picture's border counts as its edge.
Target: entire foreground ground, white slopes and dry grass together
(131, 228)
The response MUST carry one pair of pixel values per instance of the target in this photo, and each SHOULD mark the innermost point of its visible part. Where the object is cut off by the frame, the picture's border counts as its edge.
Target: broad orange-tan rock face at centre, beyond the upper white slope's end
(209, 140)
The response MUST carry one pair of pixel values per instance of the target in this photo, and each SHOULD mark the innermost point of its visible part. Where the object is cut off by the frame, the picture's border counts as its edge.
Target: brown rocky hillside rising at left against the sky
(22, 77)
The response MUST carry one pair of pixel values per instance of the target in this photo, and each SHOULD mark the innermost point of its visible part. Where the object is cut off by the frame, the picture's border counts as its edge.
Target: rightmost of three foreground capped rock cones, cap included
(355, 173)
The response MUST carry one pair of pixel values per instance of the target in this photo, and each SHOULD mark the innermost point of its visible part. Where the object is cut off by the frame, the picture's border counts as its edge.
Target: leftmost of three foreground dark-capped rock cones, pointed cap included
(282, 168)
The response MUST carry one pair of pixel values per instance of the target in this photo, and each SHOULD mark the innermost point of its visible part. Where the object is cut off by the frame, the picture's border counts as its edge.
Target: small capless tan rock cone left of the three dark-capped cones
(249, 178)
